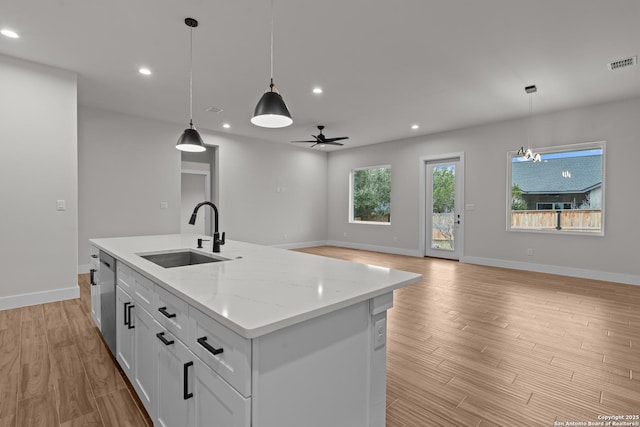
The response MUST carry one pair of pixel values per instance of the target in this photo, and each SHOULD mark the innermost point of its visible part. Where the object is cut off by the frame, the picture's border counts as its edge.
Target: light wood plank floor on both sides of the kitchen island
(467, 346)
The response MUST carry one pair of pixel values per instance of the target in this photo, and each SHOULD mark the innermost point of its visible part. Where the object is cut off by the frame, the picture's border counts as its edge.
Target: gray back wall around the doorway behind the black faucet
(129, 165)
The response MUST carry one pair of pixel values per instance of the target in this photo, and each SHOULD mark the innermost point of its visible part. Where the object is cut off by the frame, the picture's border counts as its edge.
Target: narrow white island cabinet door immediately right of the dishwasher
(125, 331)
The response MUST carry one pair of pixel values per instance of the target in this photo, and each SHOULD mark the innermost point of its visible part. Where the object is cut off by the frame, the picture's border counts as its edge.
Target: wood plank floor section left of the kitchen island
(56, 371)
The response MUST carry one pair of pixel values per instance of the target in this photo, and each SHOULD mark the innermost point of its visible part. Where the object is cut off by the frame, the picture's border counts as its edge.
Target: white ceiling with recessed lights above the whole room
(383, 65)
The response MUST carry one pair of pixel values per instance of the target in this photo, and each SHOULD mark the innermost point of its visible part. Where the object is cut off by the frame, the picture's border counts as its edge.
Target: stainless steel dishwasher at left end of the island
(107, 281)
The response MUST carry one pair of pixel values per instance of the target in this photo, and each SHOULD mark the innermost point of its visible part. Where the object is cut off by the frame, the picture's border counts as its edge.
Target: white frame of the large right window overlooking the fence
(558, 149)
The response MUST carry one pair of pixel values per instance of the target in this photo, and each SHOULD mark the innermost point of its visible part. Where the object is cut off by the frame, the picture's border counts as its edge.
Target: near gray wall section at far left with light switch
(38, 166)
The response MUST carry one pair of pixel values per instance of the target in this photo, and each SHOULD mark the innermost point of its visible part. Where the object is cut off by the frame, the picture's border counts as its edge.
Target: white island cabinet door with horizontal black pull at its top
(176, 404)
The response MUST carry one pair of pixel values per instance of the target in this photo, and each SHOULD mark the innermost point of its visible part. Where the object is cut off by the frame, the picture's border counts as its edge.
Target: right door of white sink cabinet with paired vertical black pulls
(145, 356)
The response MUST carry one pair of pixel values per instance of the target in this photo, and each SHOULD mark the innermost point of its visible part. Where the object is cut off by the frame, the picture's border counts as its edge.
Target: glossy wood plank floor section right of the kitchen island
(482, 346)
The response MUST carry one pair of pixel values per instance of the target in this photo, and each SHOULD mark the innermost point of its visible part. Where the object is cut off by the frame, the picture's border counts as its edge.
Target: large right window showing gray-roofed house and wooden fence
(561, 193)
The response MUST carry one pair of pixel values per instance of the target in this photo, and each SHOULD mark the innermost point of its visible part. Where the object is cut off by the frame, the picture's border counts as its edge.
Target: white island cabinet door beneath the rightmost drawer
(217, 404)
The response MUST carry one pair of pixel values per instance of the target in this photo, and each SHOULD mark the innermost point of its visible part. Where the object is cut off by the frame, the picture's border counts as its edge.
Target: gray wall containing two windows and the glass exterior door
(612, 257)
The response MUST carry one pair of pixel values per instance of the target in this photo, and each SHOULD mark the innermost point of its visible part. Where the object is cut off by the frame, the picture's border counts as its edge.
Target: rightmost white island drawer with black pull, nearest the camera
(233, 364)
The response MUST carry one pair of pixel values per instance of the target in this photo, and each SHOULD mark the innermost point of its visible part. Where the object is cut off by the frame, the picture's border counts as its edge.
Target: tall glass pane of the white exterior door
(443, 207)
